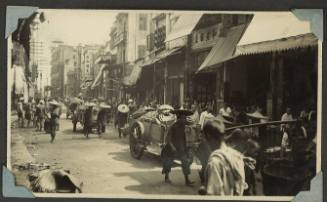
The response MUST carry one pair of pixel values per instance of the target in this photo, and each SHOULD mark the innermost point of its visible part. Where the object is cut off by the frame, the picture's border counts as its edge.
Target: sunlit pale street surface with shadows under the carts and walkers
(104, 165)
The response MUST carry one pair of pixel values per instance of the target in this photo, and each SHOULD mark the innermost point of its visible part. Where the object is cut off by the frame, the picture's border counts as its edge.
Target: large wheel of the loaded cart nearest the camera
(135, 146)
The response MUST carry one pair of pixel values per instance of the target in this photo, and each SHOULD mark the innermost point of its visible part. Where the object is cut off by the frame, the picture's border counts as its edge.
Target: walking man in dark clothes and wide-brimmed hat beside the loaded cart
(176, 148)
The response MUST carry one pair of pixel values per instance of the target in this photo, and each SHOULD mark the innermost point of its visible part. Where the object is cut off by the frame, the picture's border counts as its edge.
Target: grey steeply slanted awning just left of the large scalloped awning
(224, 49)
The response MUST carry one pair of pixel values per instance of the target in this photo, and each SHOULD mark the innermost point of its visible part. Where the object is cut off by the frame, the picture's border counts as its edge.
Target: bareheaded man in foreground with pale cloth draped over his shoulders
(224, 174)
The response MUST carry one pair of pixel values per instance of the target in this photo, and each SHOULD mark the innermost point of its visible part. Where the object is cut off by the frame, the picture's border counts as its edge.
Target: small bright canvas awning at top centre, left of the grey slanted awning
(184, 26)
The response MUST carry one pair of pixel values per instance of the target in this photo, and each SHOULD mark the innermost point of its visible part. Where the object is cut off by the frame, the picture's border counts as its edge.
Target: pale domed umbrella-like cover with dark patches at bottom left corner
(54, 181)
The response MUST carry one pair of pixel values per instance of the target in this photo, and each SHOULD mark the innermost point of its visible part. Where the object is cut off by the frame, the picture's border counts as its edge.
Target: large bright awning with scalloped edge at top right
(279, 31)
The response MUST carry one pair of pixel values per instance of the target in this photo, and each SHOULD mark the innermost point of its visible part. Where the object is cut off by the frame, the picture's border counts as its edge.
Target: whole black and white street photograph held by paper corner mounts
(164, 104)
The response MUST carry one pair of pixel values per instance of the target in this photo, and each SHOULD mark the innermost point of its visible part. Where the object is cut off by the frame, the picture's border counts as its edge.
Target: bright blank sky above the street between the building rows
(78, 26)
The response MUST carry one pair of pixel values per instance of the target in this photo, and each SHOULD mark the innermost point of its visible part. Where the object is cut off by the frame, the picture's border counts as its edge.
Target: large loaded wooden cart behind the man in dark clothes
(149, 128)
